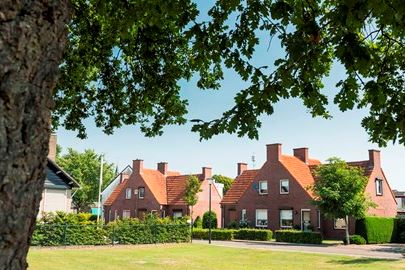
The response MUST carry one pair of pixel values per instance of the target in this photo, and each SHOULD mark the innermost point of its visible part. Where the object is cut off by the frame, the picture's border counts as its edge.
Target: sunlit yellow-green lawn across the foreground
(193, 256)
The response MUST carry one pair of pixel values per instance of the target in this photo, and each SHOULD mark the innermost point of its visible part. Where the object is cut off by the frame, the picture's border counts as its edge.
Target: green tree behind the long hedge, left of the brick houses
(85, 168)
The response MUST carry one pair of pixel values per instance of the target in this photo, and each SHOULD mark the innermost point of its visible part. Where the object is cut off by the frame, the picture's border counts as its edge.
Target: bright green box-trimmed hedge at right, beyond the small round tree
(377, 230)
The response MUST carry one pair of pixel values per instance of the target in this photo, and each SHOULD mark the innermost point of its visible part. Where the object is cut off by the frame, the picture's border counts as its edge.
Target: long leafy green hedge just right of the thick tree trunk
(69, 229)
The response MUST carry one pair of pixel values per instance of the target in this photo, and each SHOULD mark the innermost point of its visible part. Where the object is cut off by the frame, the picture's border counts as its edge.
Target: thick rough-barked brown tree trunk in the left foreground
(33, 36)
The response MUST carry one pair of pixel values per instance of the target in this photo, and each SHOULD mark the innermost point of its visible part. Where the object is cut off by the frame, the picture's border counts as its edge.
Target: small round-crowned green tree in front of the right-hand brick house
(339, 191)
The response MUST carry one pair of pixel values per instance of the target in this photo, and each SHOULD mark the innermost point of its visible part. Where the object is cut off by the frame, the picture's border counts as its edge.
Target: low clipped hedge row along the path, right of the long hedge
(227, 234)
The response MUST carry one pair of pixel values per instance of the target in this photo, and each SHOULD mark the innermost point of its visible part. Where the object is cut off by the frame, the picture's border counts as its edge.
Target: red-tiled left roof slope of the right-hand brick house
(239, 186)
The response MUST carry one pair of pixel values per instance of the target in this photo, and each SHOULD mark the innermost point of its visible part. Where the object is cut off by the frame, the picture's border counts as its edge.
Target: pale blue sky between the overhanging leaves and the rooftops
(291, 125)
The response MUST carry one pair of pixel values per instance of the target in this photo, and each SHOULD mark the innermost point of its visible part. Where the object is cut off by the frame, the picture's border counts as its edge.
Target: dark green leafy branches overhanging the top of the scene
(125, 59)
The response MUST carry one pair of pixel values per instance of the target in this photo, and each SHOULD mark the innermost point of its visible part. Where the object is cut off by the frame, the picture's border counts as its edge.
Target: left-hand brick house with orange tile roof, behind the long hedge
(159, 191)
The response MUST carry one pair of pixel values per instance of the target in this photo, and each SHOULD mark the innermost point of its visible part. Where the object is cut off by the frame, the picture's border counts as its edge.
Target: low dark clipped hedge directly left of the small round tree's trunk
(295, 236)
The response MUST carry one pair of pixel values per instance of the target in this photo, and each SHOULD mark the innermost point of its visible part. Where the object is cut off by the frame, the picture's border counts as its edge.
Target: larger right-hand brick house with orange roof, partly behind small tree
(276, 196)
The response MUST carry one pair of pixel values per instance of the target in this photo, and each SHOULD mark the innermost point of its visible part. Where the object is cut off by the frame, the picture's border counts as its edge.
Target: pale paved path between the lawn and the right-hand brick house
(385, 251)
